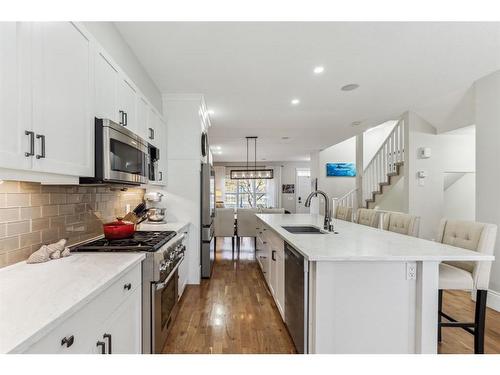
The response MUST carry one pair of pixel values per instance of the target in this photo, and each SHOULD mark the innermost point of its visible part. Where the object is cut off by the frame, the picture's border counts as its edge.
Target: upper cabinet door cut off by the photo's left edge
(15, 110)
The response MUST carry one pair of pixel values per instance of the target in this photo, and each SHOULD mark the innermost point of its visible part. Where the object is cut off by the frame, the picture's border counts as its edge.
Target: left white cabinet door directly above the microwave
(106, 80)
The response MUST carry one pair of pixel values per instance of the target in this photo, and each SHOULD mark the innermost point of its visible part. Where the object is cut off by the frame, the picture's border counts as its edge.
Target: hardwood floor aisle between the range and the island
(232, 312)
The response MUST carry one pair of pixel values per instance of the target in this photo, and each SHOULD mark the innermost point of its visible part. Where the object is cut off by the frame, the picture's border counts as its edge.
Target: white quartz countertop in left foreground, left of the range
(34, 298)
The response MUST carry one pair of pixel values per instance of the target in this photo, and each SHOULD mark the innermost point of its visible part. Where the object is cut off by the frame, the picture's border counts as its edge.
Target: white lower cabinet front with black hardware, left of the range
(109, 323)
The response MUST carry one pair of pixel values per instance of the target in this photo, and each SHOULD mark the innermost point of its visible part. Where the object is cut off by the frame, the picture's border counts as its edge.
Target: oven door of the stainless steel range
(165, 296)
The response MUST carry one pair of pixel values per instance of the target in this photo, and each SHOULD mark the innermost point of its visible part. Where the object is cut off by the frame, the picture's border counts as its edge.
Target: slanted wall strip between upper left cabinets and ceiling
(110, 38)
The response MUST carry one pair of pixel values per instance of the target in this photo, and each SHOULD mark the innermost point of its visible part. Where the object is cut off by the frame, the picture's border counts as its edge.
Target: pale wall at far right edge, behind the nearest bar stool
(487, 113)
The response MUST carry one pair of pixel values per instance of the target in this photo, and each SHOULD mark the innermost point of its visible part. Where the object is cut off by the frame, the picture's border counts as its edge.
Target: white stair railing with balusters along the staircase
(390, 154)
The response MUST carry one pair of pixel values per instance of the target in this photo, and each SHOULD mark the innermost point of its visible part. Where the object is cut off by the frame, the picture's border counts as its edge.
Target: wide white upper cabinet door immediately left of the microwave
(62, 95)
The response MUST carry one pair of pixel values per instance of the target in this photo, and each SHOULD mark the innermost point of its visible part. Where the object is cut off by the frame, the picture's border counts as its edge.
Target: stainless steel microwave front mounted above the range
(125, 155)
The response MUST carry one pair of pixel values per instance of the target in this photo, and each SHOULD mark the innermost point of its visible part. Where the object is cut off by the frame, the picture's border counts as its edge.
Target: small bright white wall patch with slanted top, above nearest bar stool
(460, 198)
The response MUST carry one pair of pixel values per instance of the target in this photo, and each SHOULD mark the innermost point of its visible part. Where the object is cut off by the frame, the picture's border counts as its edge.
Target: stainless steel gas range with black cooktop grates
(164, 253)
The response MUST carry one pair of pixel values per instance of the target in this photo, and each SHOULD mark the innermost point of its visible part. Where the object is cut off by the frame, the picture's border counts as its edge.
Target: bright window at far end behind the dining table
(246, 193)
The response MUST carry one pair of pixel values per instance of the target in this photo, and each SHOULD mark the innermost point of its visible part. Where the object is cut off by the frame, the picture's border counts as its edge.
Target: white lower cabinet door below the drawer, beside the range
(123, 328)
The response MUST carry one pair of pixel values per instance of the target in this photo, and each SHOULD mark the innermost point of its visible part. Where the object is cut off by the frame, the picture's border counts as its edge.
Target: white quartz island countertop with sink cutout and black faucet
(355, 242)
